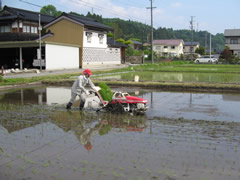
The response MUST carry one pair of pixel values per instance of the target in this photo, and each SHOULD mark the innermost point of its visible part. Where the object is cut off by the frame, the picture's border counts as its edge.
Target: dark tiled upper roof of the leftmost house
(10, 13)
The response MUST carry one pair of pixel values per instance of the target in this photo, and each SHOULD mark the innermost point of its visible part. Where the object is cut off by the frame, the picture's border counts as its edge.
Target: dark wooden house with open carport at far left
(18, 36)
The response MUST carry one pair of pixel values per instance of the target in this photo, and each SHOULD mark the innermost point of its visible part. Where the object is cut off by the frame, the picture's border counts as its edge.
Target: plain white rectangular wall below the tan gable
(61, 57)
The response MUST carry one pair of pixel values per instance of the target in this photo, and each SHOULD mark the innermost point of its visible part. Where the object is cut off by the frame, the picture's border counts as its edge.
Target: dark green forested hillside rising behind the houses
(132, 29)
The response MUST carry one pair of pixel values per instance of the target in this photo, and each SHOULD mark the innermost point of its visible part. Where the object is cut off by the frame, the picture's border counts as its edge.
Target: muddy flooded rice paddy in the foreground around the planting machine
(182, 136)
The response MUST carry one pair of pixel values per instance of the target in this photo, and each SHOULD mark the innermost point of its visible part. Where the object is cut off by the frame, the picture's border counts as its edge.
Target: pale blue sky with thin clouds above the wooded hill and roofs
(213, 16)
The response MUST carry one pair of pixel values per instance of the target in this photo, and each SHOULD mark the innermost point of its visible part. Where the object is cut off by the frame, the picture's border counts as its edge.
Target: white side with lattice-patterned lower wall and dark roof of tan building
(96, 51)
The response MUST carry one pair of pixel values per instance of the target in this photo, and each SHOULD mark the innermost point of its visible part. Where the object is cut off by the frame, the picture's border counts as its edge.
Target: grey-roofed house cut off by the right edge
(232, 40)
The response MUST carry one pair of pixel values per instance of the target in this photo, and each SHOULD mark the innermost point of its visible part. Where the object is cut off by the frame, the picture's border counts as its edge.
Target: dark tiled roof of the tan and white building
(88, 23)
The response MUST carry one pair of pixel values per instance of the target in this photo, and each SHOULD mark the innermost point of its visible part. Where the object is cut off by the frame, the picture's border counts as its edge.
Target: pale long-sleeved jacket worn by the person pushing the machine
(79, 85)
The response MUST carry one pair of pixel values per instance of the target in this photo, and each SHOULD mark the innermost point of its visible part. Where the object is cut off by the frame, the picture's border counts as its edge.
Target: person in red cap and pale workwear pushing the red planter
(78, 88)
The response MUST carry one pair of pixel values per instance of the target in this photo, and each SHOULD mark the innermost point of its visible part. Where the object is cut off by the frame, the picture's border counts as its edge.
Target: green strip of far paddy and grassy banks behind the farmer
(200, 76)
